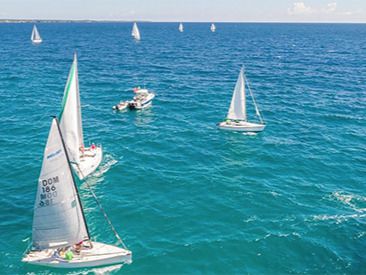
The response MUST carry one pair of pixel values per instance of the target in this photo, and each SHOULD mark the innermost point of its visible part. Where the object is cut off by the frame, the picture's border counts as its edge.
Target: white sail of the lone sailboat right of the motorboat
(237, 110)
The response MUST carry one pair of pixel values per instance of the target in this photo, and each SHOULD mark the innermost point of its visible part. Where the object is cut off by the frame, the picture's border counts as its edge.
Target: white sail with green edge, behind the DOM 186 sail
(70, 117)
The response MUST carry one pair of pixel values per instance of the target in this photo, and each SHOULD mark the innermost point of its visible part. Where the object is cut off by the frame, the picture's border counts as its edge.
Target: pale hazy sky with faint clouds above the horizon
(188, 10)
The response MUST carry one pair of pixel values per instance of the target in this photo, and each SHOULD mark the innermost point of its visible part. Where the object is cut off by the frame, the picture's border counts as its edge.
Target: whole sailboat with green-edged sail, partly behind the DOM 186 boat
(85, 160)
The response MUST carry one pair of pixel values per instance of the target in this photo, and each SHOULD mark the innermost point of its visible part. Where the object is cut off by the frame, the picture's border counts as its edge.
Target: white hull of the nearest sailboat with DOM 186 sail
(100, 255)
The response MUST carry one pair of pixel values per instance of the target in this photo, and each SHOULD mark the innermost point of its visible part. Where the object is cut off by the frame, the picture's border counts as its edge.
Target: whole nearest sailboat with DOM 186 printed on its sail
(60, 235)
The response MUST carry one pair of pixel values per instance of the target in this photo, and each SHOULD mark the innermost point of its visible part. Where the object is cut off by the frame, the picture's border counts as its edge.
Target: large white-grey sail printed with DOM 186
(58, 219)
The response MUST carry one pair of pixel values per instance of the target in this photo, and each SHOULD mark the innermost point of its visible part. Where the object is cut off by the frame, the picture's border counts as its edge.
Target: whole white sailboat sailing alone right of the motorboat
(237, 116)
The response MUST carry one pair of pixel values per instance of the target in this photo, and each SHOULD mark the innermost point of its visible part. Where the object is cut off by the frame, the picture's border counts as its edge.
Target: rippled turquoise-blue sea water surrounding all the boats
(185, 196)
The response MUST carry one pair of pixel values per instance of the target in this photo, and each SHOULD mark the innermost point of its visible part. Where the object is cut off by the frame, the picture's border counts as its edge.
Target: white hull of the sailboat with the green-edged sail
(89, 162)
